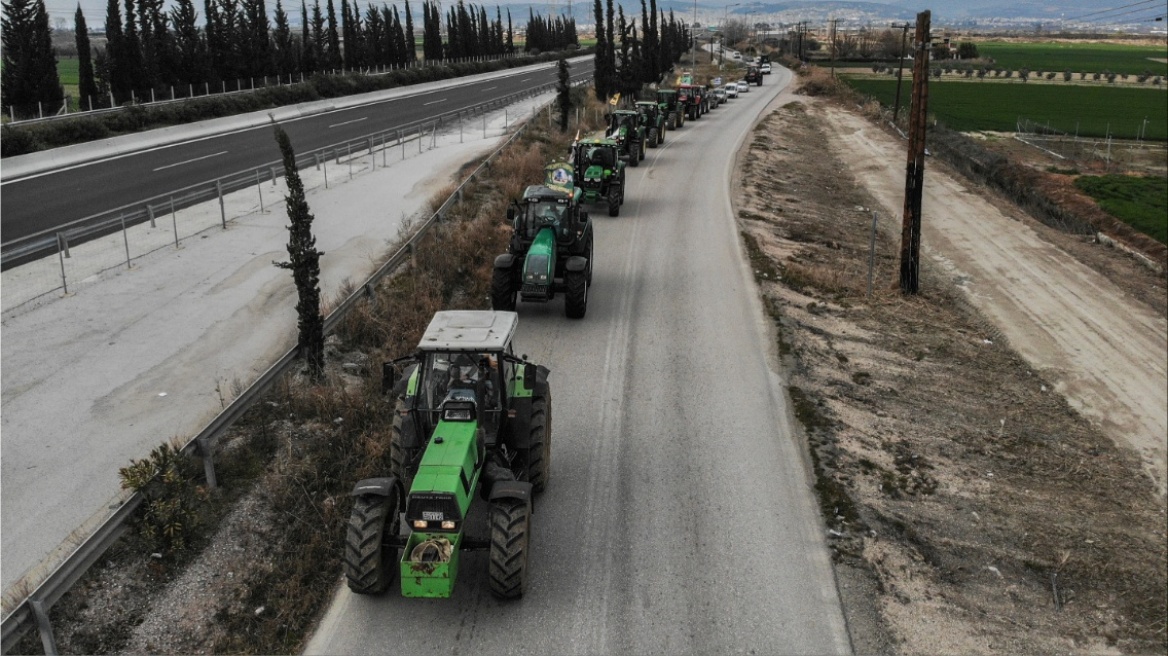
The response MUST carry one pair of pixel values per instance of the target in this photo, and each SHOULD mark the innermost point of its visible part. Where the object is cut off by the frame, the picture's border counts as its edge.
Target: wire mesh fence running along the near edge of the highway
(65, 260)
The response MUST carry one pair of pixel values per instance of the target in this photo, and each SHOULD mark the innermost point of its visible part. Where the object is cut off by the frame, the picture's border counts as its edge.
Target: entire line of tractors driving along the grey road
(471, 439)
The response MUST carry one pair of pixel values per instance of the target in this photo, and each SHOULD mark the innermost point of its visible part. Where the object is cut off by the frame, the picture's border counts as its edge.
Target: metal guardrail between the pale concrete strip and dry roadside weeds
(34, 610)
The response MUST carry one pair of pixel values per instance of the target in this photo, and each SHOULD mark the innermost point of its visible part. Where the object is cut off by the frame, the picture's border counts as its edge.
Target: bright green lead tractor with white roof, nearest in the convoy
(472, 421)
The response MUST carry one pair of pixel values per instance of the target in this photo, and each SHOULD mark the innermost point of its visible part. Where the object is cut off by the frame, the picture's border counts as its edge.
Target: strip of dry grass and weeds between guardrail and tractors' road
(273, 534)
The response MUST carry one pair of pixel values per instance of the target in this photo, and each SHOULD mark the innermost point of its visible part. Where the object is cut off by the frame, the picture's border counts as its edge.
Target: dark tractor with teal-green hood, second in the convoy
(551, 249)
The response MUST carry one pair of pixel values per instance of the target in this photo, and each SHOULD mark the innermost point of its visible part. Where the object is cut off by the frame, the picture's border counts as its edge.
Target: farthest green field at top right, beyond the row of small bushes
(1076, 58)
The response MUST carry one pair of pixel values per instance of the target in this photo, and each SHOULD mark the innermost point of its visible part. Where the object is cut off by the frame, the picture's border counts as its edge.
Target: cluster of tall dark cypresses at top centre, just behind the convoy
(644, 58)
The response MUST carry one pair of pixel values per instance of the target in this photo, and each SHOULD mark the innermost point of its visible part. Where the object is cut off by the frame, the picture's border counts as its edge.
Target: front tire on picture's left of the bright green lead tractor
(371, 564)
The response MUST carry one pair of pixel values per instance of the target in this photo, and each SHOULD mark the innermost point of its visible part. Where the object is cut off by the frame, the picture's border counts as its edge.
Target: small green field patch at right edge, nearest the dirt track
(1141, 203)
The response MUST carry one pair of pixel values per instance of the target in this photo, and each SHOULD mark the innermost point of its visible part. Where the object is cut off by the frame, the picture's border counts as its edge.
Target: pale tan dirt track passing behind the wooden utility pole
(1104, 352)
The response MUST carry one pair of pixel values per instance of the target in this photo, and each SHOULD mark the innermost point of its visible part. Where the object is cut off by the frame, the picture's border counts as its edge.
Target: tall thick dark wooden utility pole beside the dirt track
(915, 173)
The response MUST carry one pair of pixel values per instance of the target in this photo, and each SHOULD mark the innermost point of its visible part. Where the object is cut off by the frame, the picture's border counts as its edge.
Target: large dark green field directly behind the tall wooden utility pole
(1084, 110)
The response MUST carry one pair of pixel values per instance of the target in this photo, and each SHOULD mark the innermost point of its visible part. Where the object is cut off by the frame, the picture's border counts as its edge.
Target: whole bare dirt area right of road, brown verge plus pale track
(972, 508)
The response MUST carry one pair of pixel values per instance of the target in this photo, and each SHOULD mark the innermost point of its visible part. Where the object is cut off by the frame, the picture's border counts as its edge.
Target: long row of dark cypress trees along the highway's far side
(150, 50)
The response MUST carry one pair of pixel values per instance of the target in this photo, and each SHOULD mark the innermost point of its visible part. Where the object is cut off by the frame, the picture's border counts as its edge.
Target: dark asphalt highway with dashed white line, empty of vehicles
(45, 203)
